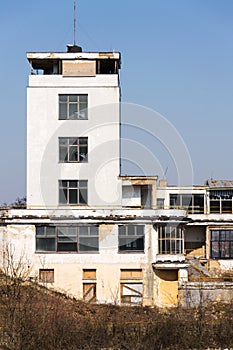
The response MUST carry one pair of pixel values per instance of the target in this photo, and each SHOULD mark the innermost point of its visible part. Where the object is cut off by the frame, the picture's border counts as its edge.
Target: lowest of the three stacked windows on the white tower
(73, 192)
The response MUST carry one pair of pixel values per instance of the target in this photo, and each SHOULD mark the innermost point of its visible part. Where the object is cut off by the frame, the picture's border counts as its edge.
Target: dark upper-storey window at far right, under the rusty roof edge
(221, 201)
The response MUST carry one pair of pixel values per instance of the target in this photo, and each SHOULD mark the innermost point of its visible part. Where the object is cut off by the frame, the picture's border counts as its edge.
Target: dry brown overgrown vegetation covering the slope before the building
(32, 317)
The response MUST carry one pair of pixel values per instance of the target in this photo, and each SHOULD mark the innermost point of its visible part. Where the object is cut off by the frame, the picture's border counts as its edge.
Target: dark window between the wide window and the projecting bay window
(131, 238)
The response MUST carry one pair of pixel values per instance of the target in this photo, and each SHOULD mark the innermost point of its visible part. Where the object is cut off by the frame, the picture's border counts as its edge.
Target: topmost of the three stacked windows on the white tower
(73, 107)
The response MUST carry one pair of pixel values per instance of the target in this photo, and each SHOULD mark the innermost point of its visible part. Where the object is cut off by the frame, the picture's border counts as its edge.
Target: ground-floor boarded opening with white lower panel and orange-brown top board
(131, 286)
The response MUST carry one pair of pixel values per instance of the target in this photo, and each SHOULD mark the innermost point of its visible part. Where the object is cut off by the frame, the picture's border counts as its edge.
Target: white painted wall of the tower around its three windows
(101, 128)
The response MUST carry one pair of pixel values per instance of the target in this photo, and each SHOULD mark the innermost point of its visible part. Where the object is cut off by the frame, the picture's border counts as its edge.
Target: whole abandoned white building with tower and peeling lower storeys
(87, 230)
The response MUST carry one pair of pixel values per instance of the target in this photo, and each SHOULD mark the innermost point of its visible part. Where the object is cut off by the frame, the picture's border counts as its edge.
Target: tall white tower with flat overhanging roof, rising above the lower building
(73, 129)
